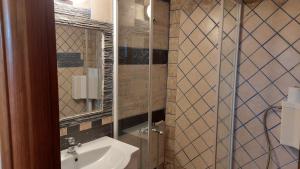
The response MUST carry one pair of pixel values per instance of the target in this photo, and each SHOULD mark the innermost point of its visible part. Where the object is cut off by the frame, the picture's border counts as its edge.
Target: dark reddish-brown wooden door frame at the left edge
(29, 118)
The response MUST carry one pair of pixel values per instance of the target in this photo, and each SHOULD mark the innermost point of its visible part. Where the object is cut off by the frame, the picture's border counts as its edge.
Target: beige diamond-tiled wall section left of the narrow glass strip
(196, 84)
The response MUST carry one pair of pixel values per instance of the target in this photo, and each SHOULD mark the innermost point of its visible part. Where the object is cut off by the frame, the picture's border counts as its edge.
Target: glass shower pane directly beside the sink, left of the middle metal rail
(133, 75)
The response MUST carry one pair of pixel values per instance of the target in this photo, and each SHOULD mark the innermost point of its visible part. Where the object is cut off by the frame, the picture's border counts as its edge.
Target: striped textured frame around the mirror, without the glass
(70, 16)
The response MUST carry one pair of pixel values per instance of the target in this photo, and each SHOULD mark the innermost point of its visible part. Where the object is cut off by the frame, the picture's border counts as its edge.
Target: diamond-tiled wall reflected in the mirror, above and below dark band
(69, 40)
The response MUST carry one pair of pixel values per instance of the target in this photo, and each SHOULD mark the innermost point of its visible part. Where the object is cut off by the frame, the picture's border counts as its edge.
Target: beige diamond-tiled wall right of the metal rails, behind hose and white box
(271, 48)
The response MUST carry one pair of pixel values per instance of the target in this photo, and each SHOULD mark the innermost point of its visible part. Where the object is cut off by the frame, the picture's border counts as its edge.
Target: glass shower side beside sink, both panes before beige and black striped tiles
(141, 48)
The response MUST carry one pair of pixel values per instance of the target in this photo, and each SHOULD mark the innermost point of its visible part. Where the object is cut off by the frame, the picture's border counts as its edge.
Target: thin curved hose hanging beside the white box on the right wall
(266, 112)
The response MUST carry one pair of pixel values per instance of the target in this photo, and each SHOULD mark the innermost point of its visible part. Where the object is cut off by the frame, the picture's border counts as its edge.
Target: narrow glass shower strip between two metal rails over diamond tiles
(229, 49)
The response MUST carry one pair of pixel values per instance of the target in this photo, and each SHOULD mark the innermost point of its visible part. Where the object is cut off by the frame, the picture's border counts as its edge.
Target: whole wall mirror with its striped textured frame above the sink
(84, 65)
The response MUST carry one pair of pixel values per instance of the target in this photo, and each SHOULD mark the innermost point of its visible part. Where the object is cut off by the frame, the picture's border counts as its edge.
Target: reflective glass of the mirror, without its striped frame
(80, 70)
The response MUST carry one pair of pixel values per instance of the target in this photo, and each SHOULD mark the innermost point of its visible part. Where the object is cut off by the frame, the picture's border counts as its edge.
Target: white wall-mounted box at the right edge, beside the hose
(290, 119)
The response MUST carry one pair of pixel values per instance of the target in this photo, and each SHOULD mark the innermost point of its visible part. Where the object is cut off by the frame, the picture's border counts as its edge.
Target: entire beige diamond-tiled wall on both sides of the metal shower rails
(269, 63)
